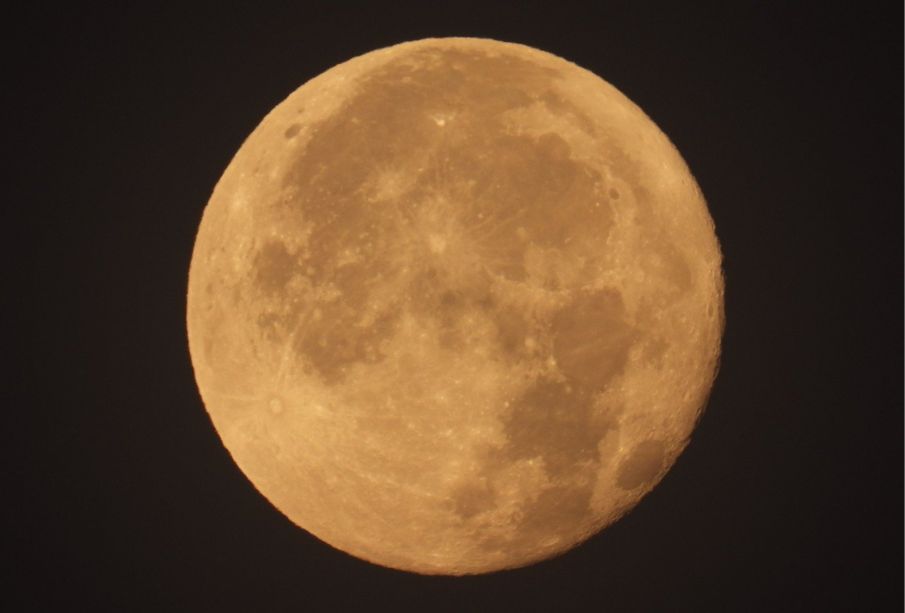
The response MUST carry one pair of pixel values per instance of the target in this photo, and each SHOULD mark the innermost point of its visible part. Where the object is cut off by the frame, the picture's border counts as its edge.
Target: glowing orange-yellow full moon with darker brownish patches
(455, 306)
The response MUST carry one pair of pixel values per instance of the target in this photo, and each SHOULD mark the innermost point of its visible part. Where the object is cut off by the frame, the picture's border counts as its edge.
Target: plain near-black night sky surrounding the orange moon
(789, 497)
